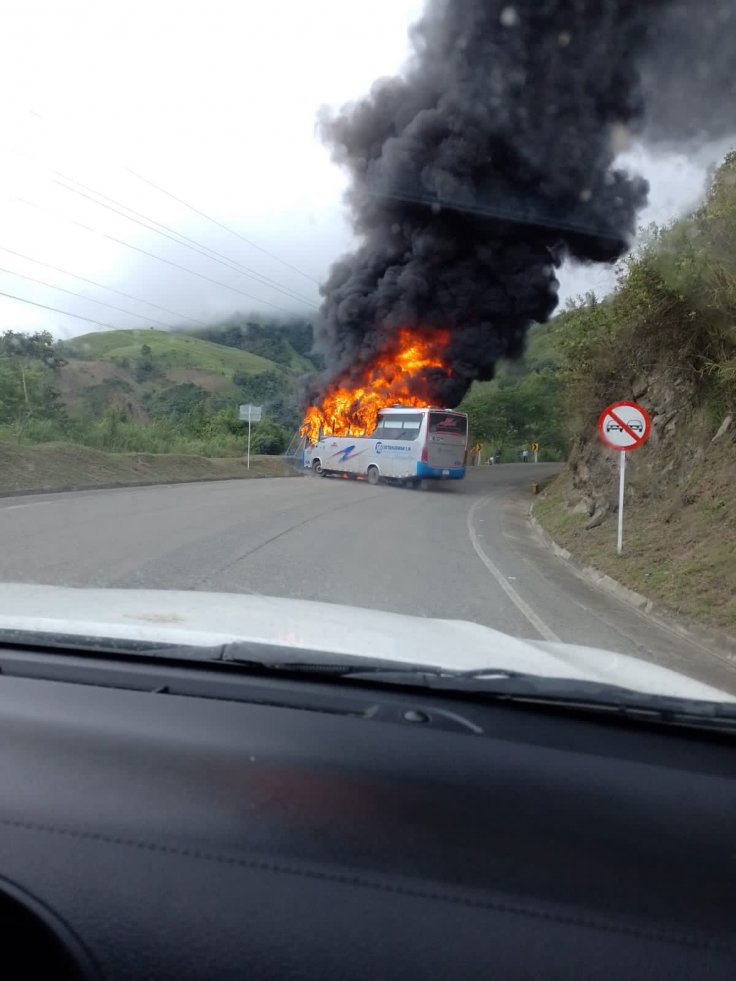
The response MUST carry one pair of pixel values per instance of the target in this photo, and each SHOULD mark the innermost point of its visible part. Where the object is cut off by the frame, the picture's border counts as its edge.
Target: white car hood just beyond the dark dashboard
(207, 619)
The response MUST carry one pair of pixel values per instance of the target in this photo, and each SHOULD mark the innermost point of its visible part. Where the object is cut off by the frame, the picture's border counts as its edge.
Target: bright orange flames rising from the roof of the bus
(350, 408)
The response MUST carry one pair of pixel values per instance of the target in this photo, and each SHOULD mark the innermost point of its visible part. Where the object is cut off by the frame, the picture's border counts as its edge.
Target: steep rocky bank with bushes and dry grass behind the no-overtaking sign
(666, 338)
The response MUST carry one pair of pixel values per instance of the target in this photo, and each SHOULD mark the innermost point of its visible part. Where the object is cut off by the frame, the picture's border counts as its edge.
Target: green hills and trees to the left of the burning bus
(150, 391)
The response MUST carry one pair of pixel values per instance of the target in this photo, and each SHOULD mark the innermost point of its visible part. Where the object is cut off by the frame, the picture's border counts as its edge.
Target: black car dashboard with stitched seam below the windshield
(169, 819)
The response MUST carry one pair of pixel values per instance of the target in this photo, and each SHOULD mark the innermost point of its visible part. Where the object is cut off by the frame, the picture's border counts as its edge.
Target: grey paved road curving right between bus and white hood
(463, 550)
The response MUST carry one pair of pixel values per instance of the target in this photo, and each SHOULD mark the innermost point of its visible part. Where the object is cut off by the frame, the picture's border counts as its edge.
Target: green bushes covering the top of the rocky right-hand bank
(674, 312)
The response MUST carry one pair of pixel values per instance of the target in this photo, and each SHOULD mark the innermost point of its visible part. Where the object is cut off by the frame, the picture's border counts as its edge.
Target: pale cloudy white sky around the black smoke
(198, 116)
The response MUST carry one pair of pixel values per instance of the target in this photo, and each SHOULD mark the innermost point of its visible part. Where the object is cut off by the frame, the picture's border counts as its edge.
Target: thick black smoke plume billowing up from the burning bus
(490, 160)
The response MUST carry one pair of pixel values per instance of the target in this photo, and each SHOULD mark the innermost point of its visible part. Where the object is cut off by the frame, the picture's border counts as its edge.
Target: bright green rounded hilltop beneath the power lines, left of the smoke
(168, 349)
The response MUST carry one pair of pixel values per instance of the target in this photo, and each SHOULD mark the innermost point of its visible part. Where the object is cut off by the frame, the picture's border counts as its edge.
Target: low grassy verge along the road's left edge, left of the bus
(64, 466)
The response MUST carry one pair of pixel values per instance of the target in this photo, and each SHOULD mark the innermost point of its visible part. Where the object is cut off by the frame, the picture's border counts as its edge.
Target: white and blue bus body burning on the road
(407, 446)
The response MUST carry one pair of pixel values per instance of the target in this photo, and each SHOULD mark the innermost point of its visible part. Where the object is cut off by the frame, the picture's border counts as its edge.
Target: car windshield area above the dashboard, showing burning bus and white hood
(423, 312)
